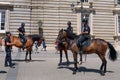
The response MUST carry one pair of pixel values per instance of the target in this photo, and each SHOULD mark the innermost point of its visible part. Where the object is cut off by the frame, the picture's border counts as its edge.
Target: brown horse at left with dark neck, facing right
(29, 44)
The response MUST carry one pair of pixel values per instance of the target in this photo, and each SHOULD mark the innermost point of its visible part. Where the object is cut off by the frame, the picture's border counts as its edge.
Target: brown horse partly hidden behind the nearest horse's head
(62, 45)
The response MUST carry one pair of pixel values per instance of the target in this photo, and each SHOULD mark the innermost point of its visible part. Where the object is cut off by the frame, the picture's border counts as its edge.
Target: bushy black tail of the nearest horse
(113, 53)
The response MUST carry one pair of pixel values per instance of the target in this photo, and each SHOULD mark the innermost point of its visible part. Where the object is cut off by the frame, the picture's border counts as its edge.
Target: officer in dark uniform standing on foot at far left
(8, 45)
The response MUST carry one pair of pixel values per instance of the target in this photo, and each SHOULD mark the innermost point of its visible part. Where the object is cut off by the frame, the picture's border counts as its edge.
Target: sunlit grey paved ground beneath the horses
(45, 67)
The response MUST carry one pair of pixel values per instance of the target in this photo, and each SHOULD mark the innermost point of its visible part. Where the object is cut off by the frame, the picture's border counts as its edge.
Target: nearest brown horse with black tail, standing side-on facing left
(97, 46)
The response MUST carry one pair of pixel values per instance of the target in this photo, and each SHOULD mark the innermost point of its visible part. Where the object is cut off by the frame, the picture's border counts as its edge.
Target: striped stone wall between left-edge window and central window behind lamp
(54, 15)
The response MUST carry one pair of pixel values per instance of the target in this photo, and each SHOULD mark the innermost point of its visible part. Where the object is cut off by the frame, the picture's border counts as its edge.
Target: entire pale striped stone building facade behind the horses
(54, 14)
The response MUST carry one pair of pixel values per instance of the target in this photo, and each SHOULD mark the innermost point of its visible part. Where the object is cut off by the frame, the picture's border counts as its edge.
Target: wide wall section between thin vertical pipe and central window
(54, 14)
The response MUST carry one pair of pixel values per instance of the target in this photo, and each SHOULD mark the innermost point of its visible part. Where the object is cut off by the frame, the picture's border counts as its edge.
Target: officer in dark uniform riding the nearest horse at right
(85, 34)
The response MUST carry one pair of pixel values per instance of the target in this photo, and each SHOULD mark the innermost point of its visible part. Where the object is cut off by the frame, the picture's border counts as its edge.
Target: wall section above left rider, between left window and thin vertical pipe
(20, 13)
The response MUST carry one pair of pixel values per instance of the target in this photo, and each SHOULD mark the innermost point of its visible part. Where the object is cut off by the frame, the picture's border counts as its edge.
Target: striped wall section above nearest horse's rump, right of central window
(104, 20)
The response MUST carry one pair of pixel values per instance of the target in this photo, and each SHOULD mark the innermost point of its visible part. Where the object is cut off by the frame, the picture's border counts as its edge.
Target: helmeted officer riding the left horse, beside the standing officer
(21, 31)
